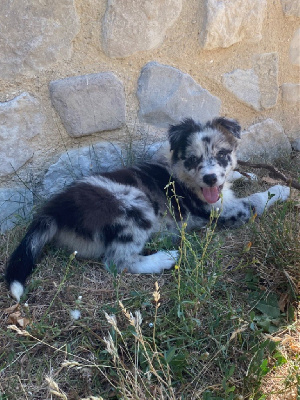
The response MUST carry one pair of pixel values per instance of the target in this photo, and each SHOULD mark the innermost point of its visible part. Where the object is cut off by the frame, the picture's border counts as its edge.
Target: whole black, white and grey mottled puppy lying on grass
(112, 215)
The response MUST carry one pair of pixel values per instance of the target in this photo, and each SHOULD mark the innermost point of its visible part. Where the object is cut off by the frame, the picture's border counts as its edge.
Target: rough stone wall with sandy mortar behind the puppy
(82, 81)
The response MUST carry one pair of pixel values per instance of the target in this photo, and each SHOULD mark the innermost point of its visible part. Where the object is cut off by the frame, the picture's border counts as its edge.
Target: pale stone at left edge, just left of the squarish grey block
(21, 119)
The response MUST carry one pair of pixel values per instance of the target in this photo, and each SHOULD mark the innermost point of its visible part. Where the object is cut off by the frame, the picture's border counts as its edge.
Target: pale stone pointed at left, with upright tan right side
(256, 87)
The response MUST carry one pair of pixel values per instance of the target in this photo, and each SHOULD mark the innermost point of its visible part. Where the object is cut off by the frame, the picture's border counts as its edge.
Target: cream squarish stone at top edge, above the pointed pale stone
(229, 22)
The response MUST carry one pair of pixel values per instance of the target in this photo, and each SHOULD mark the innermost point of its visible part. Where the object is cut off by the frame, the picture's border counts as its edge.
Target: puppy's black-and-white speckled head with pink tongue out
(203, 155)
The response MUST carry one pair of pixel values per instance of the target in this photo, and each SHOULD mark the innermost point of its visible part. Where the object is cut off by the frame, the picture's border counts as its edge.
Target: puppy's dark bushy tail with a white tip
(23, 259)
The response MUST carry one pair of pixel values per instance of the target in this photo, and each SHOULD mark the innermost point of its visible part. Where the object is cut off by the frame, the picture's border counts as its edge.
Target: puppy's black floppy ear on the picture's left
(179, 134)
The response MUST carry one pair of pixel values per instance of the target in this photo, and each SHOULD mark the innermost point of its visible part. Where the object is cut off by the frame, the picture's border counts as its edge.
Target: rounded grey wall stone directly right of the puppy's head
(264, 141)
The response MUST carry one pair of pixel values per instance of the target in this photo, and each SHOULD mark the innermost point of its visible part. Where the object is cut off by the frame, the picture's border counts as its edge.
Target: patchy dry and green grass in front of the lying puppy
(222, 325)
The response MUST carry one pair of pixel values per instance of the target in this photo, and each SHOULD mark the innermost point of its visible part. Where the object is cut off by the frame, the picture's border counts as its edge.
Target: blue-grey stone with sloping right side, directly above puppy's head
(167, 95)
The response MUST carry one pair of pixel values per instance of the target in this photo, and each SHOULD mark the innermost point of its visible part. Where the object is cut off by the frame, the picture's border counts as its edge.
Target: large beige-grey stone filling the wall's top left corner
(35, 35)
